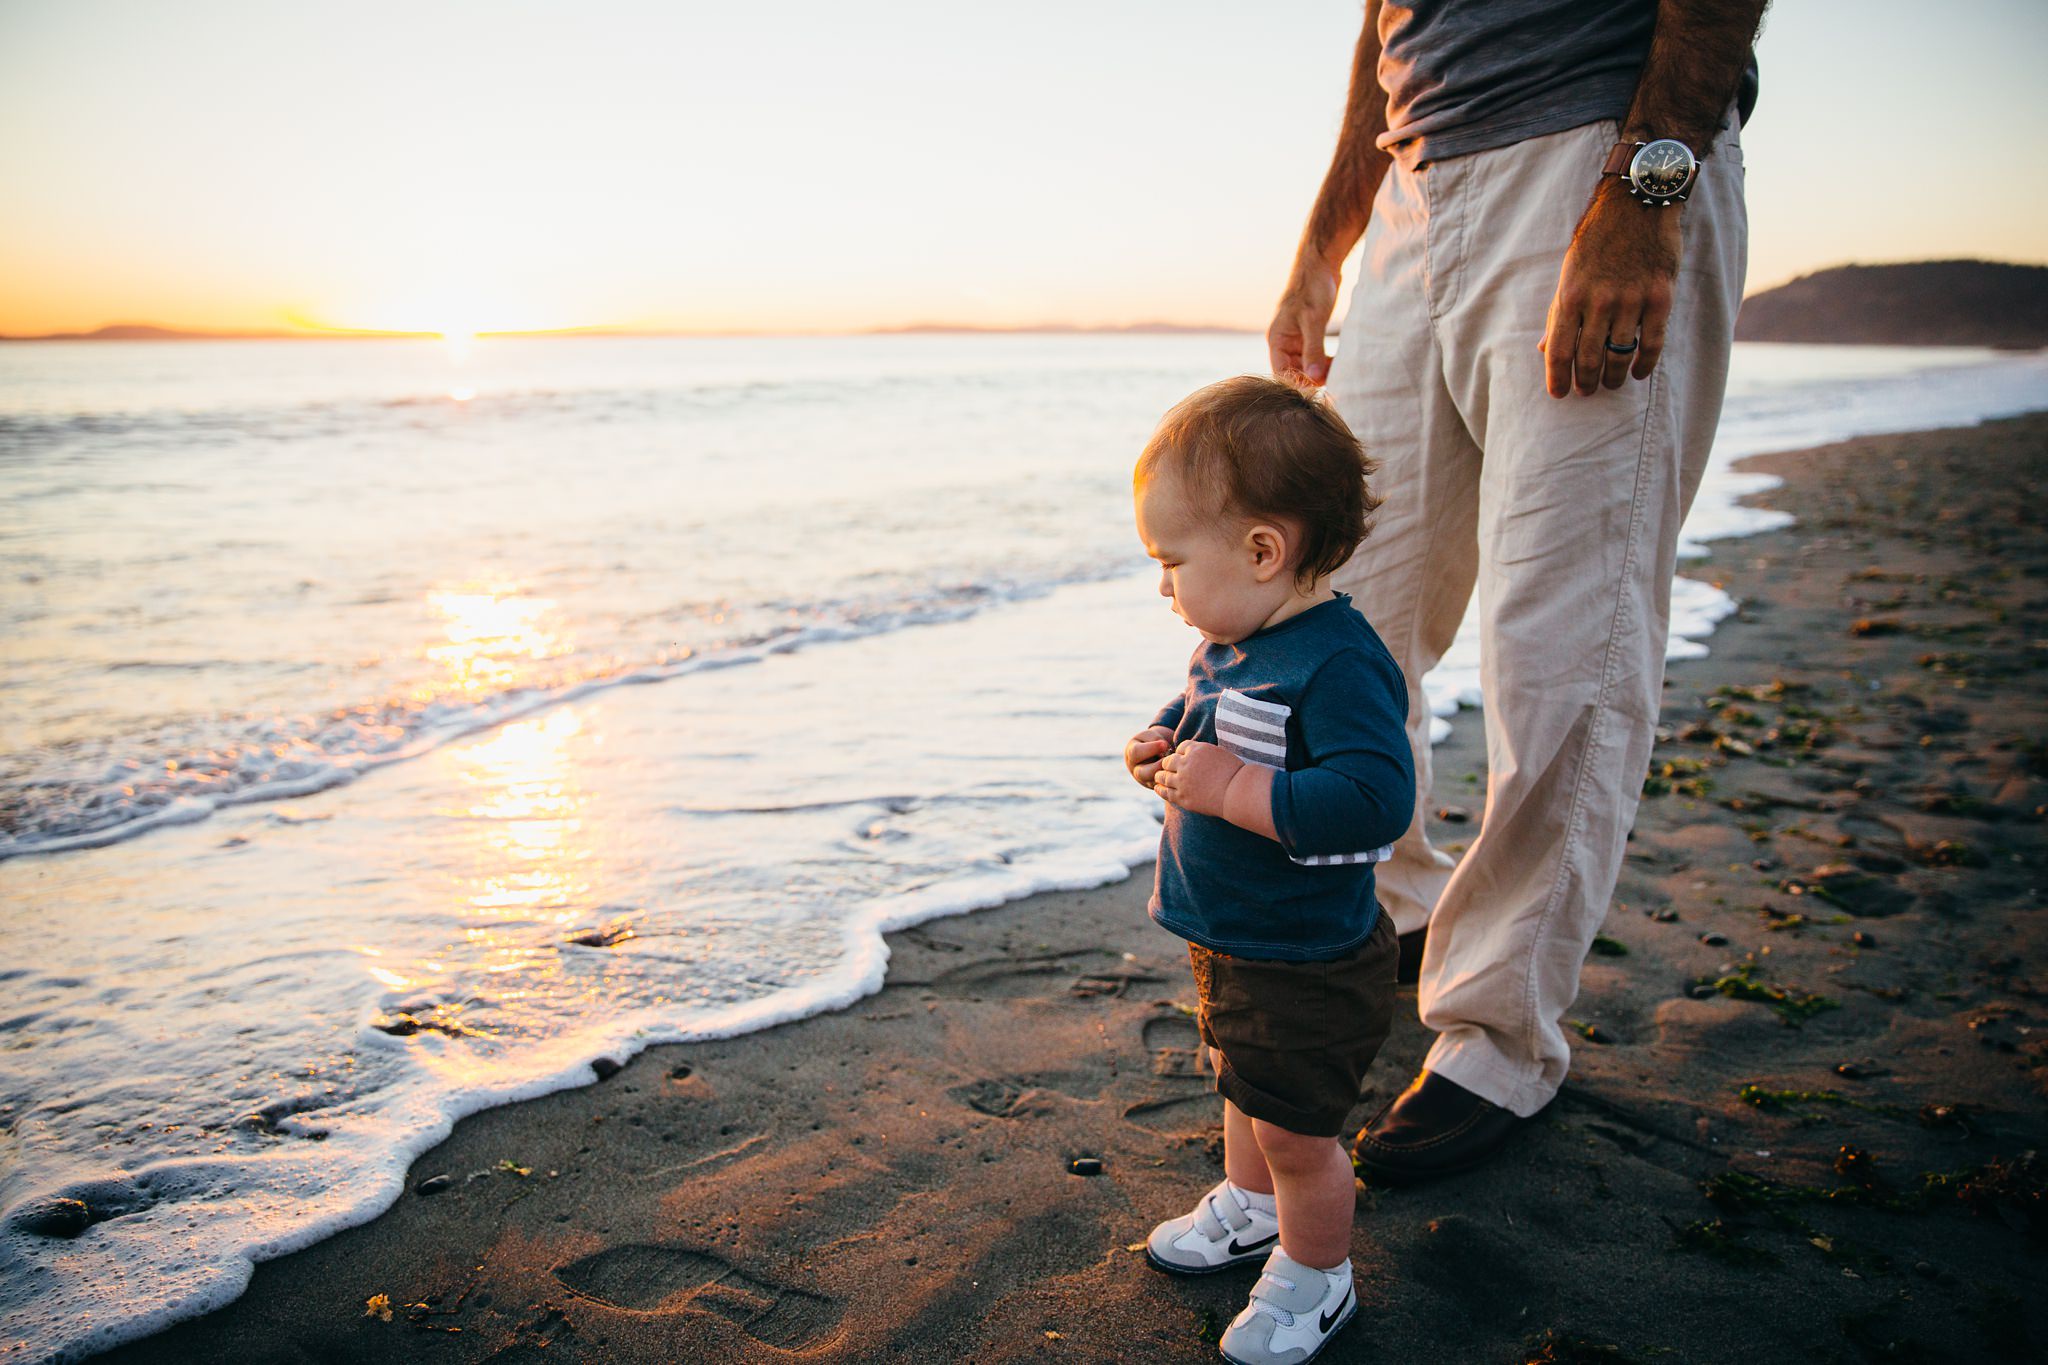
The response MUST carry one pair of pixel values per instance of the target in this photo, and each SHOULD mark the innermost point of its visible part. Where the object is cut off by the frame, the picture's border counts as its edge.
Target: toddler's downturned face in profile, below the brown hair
(1207, 568)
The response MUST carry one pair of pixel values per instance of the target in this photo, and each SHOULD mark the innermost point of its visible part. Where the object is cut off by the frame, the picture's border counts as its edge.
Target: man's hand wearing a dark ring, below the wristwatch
(1617, 285)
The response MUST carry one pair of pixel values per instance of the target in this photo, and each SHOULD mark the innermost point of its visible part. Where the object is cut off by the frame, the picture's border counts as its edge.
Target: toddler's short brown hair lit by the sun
(1263, 449)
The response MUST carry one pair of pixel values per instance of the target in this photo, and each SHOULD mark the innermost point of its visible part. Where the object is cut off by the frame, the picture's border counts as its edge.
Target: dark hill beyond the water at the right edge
(1920, 304)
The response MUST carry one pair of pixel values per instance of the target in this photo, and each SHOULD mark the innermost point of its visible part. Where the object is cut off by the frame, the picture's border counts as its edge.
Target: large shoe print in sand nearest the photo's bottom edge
(665, 1280)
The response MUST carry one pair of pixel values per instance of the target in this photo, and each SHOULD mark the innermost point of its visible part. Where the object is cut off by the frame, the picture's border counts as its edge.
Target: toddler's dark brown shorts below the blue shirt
(1297, 1037)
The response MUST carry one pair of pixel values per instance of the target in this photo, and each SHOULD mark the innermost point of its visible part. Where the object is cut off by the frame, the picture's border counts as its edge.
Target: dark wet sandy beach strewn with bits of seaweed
(1803, 1122)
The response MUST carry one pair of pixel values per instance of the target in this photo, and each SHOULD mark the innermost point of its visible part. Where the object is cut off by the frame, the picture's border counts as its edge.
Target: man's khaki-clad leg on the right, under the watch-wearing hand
(1580, 509)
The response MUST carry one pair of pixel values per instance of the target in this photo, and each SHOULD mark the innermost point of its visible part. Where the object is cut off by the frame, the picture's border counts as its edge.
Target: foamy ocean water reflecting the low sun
(396, 730)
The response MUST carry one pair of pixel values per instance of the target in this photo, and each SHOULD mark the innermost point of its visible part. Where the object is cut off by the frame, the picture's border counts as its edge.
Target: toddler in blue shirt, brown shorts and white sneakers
(1287, 775)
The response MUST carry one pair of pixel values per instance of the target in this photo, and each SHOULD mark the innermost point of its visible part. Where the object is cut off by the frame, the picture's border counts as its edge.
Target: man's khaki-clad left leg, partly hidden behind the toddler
(1414, 574)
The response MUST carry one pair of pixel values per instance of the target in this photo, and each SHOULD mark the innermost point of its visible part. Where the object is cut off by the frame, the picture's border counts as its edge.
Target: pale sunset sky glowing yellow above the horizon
(804, 167)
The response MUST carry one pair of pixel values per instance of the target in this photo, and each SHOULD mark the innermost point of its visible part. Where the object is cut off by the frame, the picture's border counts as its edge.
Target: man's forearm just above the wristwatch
(1697, 62)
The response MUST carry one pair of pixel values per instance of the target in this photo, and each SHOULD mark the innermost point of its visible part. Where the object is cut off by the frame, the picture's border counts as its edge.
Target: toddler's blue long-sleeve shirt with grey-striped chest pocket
(1320, 699)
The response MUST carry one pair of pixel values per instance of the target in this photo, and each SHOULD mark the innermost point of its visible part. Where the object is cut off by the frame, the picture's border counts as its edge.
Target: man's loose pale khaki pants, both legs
(1566, 517)
